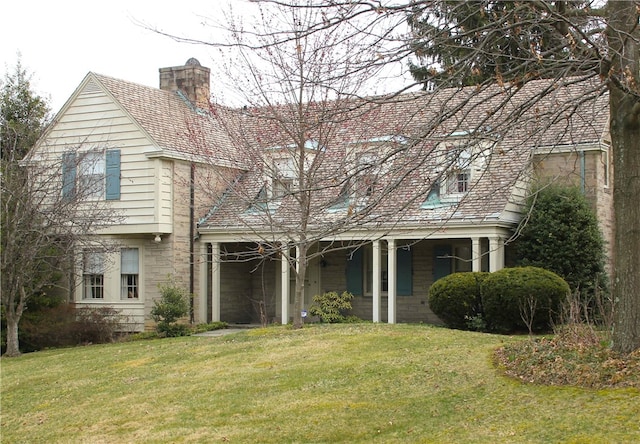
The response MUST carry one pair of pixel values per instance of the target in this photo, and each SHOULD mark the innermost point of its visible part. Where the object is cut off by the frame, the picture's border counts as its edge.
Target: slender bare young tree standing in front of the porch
(301, 95)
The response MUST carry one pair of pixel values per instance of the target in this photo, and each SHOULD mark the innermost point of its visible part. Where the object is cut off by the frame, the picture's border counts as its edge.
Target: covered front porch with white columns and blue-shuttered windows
(389, 275)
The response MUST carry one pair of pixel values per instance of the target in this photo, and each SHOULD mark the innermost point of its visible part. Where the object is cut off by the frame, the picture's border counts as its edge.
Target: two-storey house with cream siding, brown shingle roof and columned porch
(395, 198)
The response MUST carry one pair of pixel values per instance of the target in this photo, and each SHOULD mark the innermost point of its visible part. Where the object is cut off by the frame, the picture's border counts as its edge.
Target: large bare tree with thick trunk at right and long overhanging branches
(586, 52)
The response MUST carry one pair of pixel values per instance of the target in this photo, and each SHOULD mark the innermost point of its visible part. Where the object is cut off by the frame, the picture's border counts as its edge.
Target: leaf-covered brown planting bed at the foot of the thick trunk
(570, 358)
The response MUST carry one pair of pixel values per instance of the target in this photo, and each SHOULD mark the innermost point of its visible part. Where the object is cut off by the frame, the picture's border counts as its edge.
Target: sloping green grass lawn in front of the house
(339, 383)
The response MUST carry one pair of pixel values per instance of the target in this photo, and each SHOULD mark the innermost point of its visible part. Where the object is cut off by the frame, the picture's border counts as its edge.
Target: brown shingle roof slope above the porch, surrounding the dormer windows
(518, 120)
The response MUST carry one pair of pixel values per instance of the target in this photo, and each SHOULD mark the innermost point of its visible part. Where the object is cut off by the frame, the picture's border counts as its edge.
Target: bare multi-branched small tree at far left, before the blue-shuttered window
(45, 221)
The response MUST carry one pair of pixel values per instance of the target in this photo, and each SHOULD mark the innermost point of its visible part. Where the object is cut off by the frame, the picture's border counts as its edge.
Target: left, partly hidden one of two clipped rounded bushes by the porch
(455, 299)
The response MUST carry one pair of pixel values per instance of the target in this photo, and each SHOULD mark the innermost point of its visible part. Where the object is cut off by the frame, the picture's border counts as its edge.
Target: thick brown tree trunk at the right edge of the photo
(625, 134)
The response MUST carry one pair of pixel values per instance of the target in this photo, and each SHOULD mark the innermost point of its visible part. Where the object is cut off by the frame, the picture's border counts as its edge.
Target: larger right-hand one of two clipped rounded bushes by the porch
(522, 298)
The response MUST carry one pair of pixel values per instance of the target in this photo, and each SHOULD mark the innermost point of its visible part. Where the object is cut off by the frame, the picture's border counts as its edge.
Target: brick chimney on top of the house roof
(192, 80)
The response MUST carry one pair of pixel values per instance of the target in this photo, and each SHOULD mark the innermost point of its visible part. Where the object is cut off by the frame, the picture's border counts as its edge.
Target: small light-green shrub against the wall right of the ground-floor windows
(173, 305)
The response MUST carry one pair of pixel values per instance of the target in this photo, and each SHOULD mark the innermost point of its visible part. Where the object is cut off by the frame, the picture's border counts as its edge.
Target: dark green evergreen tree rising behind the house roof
(472, 42)
